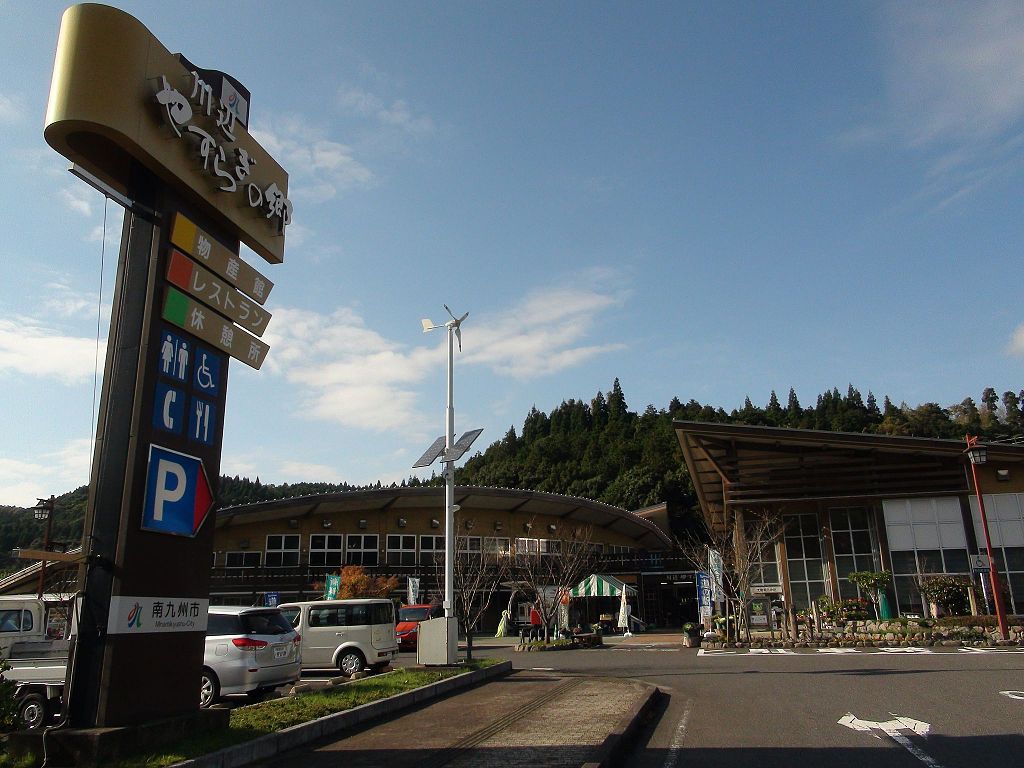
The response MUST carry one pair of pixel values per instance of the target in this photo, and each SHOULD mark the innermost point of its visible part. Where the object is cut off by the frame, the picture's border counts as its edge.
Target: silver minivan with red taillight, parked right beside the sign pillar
(248, 651)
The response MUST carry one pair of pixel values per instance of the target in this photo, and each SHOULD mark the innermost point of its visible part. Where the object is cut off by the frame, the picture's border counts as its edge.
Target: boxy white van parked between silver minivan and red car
(349, 634)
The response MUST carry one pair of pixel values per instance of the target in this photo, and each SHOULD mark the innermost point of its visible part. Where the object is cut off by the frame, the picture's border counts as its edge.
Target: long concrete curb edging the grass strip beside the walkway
(297, 736)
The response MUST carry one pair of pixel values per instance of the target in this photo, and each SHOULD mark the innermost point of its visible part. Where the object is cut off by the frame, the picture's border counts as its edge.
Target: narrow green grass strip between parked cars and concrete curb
(269, 717)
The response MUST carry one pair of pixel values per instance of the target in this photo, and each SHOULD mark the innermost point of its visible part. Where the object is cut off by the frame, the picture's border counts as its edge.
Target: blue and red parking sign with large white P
(178, 493)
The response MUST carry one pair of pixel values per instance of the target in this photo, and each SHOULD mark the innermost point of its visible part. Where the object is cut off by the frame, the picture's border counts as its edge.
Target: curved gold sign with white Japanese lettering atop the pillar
(146, 105)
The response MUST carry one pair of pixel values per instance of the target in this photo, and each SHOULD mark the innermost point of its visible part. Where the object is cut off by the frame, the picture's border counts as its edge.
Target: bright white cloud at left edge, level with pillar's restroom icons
(29, 349)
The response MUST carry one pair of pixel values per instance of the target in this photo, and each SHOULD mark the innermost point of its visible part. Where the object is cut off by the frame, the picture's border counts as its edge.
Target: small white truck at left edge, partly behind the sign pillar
(33, 643)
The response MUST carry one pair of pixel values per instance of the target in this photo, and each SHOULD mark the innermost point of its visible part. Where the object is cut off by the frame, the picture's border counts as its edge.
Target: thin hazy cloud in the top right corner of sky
(955, 93)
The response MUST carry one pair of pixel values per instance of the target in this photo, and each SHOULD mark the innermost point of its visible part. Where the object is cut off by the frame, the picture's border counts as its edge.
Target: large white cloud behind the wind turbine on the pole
(347, 373)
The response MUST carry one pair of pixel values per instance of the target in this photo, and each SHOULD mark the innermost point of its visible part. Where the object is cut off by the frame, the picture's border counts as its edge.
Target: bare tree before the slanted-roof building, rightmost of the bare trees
(747, 543)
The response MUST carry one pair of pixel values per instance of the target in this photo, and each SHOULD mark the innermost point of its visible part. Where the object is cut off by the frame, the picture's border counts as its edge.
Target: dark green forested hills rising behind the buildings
(604, 451)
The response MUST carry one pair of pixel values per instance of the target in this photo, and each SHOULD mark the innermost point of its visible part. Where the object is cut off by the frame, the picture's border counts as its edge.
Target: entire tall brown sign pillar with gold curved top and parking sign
(172, 143)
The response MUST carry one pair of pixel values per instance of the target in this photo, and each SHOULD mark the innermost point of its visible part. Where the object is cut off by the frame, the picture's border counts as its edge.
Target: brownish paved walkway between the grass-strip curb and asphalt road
(531, 719)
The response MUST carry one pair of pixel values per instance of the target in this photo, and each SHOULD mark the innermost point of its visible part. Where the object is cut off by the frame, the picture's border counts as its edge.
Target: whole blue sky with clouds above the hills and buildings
(706, 200)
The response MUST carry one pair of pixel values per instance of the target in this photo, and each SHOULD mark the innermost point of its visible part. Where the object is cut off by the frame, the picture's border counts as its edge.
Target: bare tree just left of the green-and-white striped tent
(550, 568)
